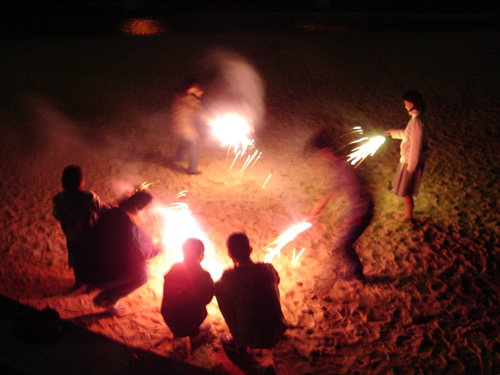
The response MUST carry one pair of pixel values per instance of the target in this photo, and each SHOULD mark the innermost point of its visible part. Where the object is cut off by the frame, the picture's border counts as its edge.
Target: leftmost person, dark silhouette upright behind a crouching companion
(77, 211)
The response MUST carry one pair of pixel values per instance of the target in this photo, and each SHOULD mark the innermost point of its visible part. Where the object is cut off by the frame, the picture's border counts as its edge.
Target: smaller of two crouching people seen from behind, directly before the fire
(187, 289)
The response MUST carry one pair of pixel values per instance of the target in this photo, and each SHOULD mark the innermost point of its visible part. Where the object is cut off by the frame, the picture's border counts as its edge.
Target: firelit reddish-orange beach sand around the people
(431, 304)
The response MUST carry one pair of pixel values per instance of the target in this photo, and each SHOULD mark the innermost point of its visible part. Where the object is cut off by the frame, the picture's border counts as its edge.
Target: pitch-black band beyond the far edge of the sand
(29, 18)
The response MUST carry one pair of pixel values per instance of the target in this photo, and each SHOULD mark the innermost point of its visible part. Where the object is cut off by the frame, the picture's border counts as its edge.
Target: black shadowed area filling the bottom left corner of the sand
(39, 342)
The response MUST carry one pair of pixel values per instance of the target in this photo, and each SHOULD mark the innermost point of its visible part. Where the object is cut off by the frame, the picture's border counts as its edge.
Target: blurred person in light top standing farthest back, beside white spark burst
(186, 111)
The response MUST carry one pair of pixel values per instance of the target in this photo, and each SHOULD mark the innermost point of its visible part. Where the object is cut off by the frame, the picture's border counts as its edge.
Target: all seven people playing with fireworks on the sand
(109, 252)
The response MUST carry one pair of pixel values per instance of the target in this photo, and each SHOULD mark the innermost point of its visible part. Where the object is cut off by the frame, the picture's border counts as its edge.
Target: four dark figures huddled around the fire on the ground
(109, 252)
